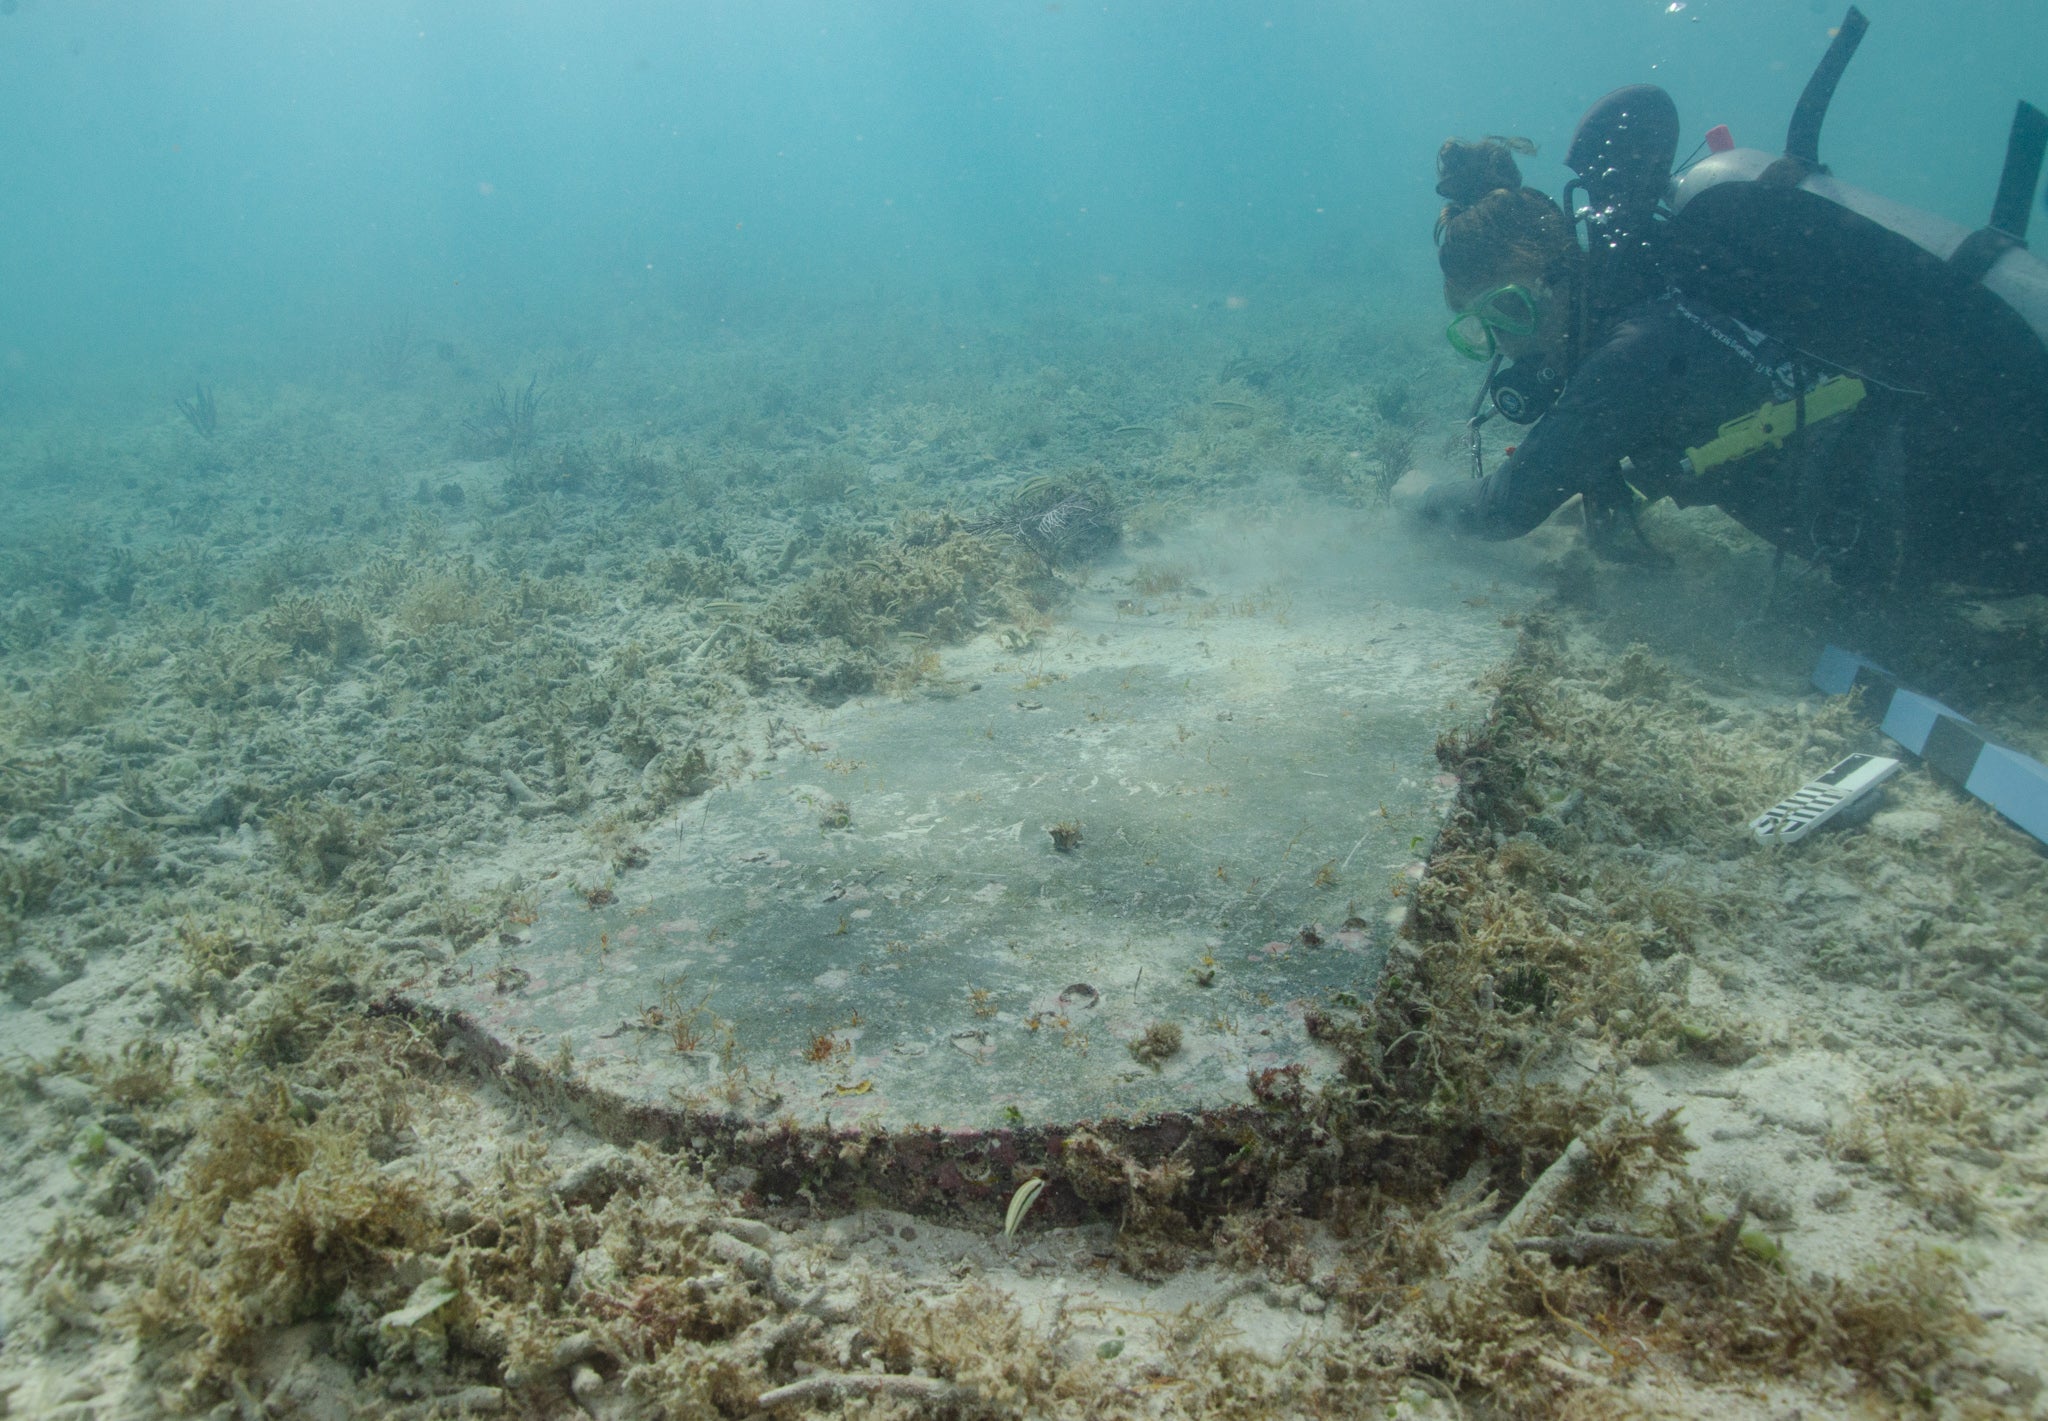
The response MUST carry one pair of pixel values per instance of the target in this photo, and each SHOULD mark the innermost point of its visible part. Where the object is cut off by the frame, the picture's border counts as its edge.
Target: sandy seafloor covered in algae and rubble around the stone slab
(314, 701)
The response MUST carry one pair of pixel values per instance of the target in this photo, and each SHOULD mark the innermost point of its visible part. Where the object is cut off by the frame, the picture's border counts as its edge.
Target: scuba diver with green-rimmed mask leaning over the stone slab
(1854, 382)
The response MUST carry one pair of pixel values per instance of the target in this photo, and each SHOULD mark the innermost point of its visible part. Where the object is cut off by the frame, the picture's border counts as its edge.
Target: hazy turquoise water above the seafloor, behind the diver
(214, 181)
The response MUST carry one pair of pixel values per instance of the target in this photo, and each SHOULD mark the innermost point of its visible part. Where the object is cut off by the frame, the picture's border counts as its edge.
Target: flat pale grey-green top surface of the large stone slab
(882, 931)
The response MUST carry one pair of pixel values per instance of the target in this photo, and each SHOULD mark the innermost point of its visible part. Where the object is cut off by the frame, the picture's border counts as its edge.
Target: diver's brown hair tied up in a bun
(1492, 226)
